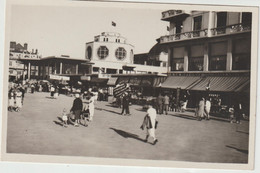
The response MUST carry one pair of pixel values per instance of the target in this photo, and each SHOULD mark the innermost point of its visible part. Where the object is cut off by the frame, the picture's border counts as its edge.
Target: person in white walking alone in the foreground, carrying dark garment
(150, 122)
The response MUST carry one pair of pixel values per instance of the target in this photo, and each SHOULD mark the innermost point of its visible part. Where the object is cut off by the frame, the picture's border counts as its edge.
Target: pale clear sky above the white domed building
(63, 30)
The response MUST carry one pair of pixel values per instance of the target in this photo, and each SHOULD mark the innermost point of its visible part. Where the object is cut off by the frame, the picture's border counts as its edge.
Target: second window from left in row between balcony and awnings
(196, 58)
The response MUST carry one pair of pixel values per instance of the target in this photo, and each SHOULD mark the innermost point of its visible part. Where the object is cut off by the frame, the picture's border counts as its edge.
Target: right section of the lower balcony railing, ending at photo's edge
(230, 29)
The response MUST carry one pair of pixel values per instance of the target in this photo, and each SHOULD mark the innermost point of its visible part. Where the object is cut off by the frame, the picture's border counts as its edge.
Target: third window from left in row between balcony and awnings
(218, 56)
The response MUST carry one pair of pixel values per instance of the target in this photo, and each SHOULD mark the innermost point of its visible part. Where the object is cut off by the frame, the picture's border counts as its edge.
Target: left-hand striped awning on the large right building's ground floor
(183, 82)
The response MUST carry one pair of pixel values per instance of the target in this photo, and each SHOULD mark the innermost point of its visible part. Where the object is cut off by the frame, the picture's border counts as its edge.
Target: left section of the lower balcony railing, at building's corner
(184, 36)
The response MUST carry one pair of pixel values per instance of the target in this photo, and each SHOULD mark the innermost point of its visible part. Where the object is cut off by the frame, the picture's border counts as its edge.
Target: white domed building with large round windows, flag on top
(111, 54)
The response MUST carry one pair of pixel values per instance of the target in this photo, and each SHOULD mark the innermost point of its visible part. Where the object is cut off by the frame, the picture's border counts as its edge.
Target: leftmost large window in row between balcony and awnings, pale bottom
(178, 59)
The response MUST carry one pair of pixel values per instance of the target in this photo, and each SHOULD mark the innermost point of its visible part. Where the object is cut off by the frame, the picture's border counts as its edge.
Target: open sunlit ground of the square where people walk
(36, 130)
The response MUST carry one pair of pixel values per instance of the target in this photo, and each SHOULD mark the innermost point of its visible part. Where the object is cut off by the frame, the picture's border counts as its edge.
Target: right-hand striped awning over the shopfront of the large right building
(223, 83)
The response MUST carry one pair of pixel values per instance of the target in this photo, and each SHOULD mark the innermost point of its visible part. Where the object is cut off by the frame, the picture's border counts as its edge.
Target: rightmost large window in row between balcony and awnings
(241, 54)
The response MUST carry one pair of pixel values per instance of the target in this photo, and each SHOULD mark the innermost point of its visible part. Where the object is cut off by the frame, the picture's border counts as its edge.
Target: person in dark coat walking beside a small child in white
(77, 109)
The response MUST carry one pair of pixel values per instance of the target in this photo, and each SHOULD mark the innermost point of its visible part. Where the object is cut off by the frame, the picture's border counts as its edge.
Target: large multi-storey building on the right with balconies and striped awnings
(208, 48)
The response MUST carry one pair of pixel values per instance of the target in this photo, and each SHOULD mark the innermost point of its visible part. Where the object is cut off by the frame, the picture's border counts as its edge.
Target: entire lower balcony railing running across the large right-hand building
(236, 28)
